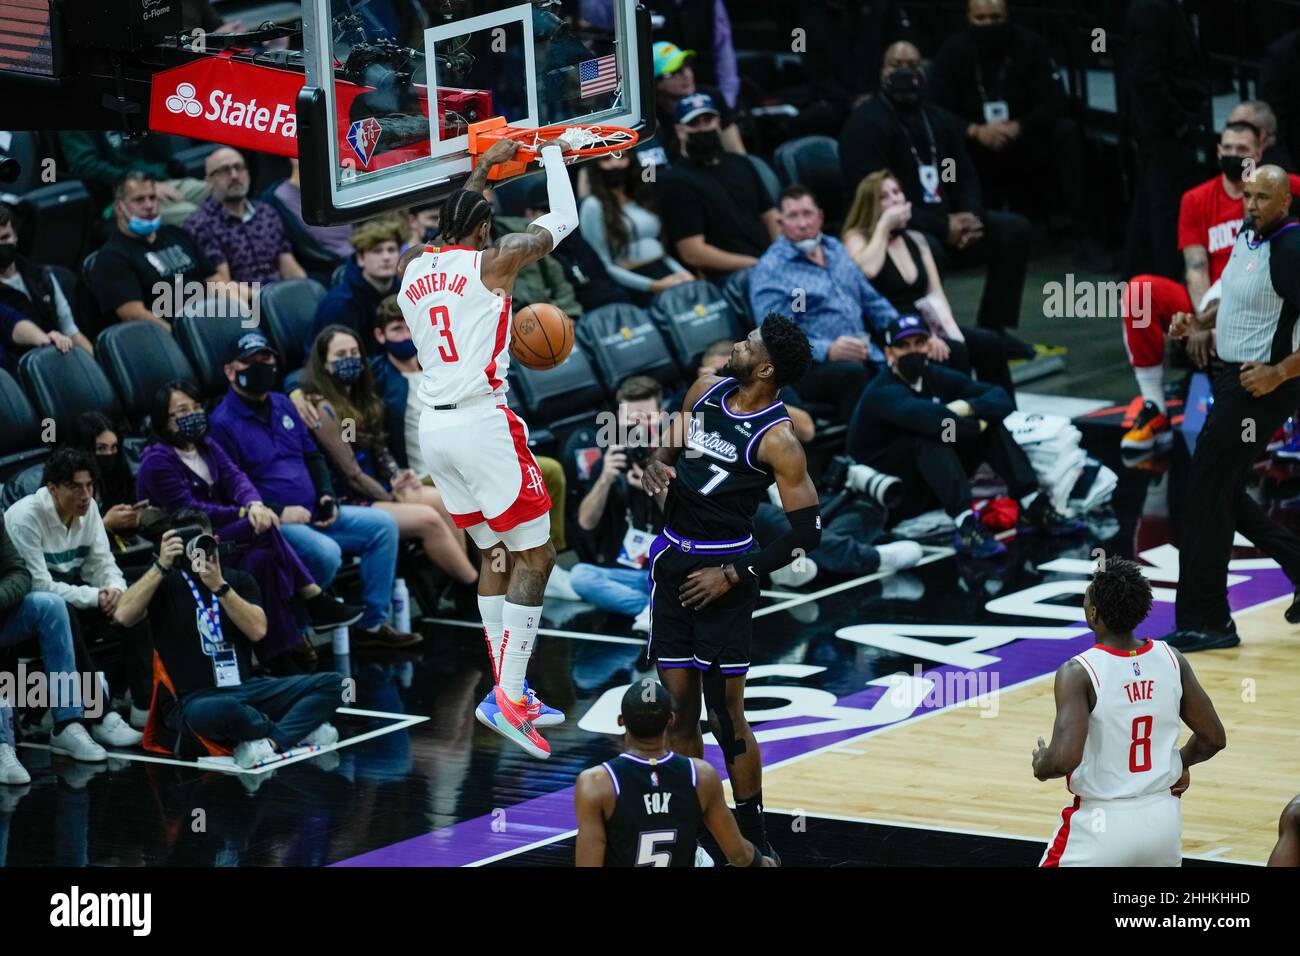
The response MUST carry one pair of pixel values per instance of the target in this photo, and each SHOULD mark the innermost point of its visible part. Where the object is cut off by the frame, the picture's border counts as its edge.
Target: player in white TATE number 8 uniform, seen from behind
(1116, 736)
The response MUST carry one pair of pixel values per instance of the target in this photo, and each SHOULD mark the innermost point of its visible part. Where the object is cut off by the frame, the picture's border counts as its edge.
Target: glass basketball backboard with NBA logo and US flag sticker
(393, 86)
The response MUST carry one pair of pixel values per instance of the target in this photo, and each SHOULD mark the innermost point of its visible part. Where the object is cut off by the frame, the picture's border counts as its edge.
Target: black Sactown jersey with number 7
(721, 482)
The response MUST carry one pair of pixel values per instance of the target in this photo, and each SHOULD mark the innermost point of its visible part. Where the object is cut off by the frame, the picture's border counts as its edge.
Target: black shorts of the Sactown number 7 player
(717, 635)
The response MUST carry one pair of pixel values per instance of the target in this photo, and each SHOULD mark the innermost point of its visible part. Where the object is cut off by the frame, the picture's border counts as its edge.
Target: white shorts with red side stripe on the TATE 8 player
(1138, 832)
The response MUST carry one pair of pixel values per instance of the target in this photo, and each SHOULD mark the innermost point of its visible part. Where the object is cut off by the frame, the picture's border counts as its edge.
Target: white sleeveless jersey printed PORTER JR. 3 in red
(461, 328)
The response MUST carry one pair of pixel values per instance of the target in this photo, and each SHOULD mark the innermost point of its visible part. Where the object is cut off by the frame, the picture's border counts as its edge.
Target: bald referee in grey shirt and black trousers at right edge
(1256, 338)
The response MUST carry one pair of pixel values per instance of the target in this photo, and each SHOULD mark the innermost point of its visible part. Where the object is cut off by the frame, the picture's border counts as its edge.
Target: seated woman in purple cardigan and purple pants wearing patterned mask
(184, 470)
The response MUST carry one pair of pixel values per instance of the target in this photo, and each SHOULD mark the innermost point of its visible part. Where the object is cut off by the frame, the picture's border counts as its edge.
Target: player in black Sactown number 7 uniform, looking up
(705, 566)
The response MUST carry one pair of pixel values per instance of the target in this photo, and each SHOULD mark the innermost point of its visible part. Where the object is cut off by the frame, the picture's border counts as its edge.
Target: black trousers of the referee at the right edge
(1216, 501)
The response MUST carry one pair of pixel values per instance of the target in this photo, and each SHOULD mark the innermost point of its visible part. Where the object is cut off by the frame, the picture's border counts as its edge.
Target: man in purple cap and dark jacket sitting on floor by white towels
(933, 427)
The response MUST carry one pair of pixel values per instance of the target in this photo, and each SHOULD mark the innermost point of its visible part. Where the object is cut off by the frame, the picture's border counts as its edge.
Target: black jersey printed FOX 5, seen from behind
(657, 814)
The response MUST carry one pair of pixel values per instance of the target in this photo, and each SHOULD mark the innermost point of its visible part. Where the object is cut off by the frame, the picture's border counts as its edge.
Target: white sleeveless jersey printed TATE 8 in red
(1133, 732)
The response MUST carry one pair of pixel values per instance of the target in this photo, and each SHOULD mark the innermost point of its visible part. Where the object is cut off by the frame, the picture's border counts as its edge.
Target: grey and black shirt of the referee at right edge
(1262, 297)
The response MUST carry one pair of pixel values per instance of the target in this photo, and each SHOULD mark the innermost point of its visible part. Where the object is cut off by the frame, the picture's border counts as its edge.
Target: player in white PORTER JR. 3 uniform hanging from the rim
(456, 297)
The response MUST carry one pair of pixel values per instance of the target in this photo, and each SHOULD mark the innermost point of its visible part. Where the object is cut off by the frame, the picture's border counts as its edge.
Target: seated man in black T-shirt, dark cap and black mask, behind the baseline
(716, 210)
